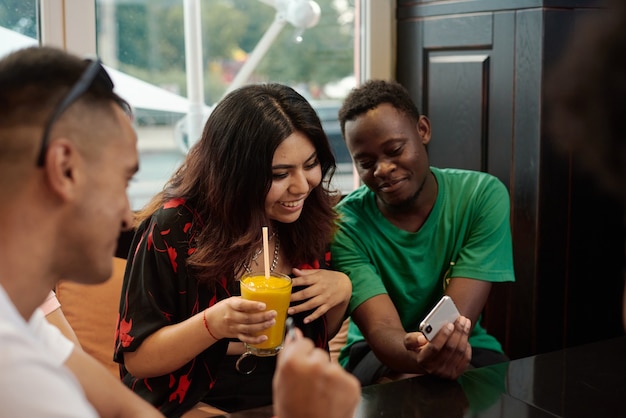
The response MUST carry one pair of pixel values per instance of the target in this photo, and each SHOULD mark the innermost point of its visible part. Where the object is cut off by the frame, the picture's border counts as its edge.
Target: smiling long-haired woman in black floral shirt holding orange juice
(263, 160)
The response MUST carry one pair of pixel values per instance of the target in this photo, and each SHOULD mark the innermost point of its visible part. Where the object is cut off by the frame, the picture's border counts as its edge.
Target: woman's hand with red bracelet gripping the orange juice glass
(236, 317)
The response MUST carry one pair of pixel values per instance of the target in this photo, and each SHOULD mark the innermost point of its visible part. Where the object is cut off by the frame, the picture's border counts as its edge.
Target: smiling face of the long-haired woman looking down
(296, 171)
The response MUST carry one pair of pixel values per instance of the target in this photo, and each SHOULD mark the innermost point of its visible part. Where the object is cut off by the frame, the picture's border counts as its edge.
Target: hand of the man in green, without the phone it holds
(448, 354)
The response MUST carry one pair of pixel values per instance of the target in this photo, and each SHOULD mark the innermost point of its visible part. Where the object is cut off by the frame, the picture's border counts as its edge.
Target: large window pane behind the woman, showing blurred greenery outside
(144, 40)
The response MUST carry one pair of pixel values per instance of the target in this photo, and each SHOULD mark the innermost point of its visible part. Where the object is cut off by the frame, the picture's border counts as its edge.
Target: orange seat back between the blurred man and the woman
(92, 312)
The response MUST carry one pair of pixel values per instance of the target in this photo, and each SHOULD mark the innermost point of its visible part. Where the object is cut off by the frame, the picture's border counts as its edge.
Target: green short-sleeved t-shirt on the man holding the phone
(467, 234)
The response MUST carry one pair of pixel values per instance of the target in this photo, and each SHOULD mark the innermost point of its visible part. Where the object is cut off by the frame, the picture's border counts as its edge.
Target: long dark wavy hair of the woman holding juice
(228, 173)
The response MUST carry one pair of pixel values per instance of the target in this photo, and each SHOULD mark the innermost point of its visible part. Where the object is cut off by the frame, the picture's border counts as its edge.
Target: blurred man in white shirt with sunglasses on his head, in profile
(67, 153)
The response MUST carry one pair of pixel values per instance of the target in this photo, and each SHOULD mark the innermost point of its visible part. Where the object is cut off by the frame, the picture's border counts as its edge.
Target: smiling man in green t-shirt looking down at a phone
(411, 234)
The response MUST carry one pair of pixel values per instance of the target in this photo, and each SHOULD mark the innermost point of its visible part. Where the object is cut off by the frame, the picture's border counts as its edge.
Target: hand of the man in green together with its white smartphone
(442, 345)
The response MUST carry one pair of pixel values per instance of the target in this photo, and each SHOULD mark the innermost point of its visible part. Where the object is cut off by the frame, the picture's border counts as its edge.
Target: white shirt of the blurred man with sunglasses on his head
(33, 380)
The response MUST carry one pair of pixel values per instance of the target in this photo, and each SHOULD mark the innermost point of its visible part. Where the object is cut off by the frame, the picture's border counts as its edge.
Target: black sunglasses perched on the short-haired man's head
(95, 72)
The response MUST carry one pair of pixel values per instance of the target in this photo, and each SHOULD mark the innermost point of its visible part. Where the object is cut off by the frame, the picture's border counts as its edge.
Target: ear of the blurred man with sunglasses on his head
(62, 167)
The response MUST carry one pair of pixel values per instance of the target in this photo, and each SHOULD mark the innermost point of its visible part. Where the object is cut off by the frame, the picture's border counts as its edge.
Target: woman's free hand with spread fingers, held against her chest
(324, 290)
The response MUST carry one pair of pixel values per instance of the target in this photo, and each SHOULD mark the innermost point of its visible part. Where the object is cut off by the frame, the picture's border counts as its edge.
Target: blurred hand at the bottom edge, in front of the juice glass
(308, 385)
